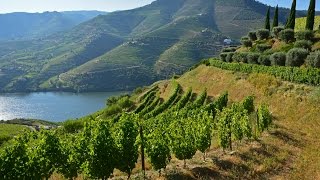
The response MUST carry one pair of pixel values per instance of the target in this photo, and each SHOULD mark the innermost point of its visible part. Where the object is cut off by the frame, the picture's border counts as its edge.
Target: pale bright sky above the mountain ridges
(102, 5)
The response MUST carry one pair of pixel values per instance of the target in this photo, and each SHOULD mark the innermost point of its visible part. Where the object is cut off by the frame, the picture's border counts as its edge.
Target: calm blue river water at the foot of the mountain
(52, 106)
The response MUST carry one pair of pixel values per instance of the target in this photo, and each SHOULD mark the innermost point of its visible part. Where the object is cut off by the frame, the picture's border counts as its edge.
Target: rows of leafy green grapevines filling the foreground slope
(157, 130)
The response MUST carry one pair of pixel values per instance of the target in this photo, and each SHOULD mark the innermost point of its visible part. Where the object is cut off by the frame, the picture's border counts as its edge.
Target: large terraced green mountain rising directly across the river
(126, 49)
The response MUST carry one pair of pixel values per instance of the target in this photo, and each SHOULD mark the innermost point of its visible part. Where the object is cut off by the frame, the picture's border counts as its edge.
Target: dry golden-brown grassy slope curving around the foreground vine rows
(288, 151)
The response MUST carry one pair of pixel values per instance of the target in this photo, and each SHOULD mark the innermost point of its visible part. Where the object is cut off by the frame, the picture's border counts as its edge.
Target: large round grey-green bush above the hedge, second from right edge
(296, 57)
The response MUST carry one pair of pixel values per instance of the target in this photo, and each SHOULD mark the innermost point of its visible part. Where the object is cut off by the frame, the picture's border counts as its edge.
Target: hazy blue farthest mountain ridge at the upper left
(34, 25)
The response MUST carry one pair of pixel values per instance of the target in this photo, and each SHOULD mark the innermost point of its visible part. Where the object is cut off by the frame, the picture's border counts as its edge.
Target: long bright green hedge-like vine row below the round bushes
(292, 74)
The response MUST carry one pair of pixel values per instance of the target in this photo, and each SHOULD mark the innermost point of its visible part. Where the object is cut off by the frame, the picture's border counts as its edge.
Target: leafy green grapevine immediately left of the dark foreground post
(125, 135)
